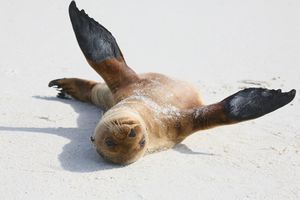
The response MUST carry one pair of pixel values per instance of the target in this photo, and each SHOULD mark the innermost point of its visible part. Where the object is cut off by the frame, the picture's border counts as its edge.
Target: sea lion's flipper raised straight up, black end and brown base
(101, 50)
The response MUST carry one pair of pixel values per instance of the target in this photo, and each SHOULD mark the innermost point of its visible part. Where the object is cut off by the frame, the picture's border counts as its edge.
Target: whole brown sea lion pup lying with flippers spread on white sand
(149, 112)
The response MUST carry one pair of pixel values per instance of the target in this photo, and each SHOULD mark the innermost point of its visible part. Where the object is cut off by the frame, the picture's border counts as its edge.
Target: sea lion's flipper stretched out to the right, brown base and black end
(244, 105)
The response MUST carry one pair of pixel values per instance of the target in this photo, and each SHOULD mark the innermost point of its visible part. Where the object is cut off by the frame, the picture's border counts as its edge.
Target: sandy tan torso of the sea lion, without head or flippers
(158, 99)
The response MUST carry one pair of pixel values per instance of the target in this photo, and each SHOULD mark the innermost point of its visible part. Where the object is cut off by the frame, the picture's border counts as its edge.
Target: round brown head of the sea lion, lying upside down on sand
(120, 137)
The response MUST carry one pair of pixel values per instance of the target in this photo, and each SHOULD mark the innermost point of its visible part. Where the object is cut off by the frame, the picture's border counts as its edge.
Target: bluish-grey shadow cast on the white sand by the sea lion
(79, 155)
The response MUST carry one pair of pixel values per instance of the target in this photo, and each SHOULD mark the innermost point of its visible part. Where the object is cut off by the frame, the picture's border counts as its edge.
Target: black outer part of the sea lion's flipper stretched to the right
(252, 103)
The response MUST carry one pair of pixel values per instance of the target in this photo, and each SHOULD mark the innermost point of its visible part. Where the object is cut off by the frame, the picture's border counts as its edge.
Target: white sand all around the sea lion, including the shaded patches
(45, 151)
